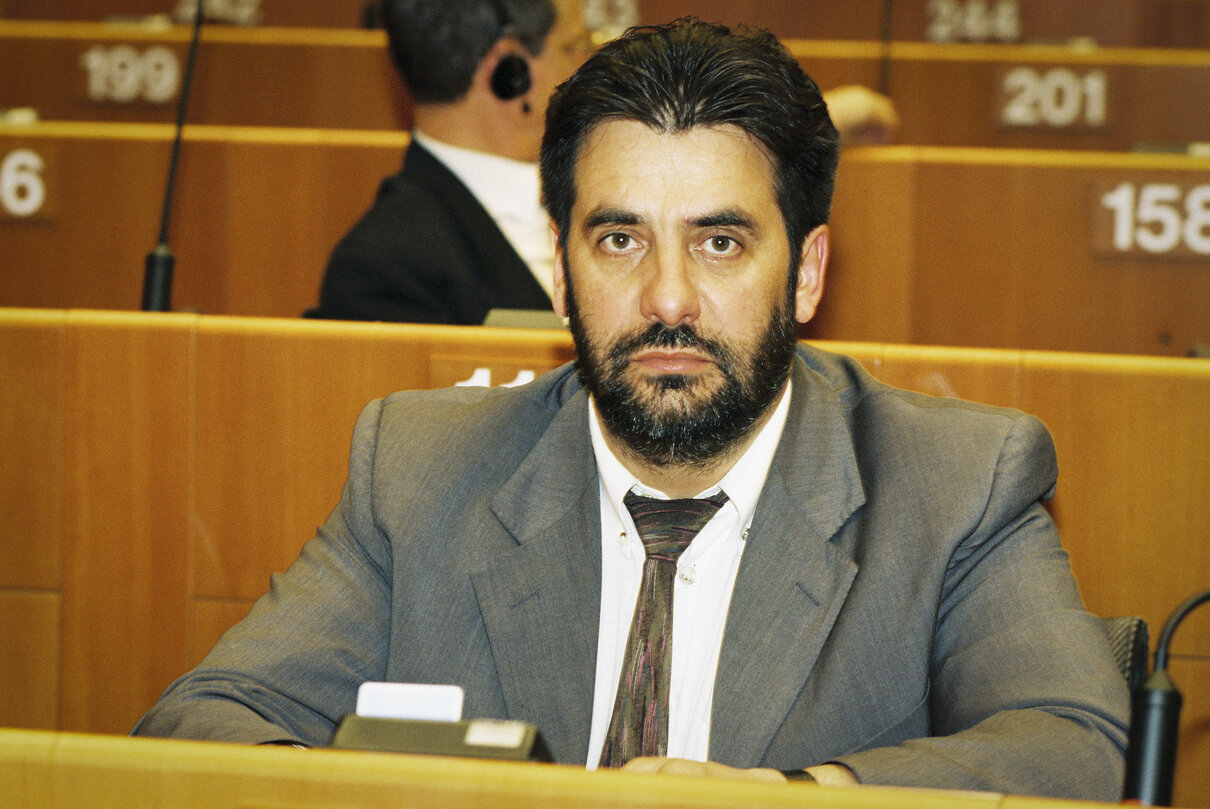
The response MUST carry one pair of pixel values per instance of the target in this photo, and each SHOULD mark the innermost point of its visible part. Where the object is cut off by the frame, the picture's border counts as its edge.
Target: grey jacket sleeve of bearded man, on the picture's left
(290, 672)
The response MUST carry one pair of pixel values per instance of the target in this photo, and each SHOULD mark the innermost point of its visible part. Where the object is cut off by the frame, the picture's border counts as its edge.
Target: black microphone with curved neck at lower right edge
(1155, 724)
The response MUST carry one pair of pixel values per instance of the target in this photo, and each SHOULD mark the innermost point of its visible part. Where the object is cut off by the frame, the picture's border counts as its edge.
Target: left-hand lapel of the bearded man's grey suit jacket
(541, 600)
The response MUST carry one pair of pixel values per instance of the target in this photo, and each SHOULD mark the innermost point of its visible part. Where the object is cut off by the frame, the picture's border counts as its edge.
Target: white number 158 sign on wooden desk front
(1154, 219)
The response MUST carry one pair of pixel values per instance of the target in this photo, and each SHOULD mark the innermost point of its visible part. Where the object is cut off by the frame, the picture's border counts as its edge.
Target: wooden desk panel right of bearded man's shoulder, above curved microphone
(1111, 413)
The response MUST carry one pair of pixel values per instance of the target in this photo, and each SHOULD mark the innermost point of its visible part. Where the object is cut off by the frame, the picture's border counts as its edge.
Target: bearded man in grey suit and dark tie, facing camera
(875, 594)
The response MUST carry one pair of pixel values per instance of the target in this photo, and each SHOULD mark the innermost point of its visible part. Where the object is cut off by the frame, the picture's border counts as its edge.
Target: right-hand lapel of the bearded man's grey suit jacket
(792, 581)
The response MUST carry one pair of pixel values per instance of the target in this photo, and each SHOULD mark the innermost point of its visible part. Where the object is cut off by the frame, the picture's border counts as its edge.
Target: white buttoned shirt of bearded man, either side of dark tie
(706, 576)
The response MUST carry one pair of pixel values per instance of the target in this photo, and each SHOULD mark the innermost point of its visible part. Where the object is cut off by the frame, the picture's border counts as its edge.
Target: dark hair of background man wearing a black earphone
(437, 45)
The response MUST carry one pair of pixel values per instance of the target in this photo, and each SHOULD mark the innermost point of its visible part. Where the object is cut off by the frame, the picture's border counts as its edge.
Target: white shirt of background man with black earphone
(510, 192)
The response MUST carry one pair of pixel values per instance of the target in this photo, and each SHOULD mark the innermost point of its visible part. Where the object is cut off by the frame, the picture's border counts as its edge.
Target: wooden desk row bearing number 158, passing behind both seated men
(931, 246)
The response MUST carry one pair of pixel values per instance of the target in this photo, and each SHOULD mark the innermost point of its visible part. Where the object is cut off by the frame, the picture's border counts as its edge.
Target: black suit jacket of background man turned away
(427, 252)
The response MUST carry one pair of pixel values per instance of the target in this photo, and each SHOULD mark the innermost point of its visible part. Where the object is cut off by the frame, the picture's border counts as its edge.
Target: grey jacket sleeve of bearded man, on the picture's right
(1024, 694)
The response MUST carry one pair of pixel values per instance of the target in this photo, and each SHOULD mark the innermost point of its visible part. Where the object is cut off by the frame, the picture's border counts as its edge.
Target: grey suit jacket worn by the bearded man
(901, 581)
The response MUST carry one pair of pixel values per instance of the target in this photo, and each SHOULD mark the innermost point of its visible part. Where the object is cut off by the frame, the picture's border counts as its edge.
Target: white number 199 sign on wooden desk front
(122, 74)
